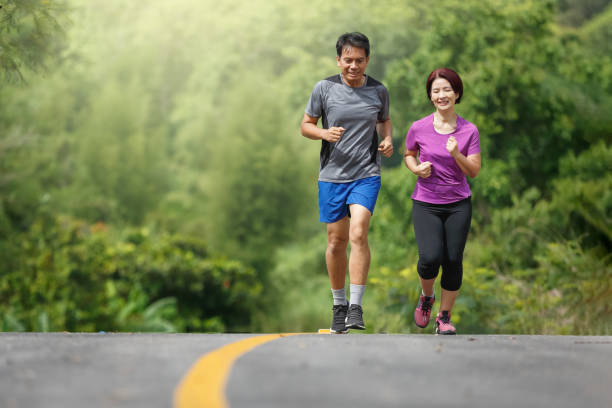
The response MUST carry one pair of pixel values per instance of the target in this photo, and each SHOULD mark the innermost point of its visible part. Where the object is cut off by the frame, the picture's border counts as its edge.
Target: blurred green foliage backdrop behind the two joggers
(153, 177)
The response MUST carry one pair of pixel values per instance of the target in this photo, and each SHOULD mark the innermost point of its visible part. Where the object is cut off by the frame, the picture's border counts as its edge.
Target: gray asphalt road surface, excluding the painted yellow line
(142, 370)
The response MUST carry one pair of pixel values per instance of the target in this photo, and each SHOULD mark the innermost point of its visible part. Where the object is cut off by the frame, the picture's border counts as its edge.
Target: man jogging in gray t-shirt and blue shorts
(354, 108)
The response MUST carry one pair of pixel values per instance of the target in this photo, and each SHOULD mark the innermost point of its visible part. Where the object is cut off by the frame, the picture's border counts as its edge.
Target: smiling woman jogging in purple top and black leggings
(448, 149)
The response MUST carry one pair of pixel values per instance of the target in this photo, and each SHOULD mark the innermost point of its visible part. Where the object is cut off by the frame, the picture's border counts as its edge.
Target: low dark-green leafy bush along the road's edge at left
(80, 277)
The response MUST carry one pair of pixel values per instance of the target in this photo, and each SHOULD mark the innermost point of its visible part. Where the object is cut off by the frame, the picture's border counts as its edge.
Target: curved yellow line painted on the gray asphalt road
(204, 384)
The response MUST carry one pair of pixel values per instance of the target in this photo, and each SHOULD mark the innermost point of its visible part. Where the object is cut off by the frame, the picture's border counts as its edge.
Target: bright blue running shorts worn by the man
(334, 198)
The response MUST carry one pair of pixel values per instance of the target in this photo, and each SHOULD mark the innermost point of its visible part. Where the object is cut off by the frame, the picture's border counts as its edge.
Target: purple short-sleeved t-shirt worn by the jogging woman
(447, 183)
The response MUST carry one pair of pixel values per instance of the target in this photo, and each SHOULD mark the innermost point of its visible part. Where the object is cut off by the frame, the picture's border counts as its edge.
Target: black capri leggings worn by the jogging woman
(441, 231)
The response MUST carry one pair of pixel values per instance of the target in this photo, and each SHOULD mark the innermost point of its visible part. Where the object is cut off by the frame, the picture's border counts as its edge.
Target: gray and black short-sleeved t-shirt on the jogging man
(357, 110)
